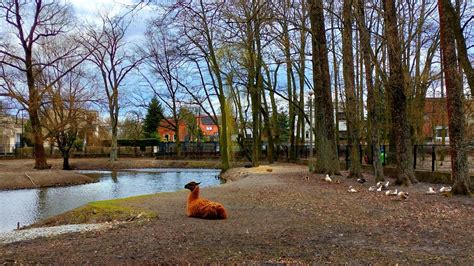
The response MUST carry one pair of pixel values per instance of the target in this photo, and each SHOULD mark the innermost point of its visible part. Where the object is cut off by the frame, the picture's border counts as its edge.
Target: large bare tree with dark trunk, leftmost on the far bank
(31, 25)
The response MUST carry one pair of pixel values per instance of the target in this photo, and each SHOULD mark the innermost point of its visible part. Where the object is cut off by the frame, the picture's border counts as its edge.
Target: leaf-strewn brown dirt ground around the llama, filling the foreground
(277, 216)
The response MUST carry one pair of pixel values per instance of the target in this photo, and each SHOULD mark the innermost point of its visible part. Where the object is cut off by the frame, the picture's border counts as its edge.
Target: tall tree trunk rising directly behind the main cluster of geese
(397, 91)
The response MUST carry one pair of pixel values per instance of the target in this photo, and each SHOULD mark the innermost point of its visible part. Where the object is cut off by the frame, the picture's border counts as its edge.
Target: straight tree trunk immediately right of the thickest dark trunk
(352, 116)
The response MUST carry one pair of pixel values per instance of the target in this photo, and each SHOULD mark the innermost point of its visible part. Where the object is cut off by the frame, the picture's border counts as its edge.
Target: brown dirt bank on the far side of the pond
(19, 174)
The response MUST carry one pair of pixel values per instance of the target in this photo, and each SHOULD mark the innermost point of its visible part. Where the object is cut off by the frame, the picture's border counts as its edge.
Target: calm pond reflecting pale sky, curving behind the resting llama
(28, 206)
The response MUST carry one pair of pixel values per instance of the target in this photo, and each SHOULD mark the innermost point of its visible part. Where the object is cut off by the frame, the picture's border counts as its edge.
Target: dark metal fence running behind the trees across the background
(425, 157)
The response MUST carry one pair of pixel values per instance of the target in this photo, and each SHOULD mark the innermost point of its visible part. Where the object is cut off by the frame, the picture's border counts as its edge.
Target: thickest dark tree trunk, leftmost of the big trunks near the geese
(326, 152)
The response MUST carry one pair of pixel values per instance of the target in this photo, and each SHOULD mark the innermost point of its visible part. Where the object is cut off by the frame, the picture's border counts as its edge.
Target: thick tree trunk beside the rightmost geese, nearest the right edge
(454, 103)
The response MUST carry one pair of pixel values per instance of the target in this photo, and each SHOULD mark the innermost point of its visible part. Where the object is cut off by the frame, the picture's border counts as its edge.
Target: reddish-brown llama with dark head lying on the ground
(203, 208)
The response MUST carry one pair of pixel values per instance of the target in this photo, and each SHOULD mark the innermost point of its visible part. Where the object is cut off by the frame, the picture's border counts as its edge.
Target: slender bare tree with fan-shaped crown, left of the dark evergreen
(113, 56)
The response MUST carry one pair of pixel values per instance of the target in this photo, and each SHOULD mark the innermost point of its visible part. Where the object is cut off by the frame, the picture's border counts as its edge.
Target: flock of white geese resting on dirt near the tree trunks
(383, 187)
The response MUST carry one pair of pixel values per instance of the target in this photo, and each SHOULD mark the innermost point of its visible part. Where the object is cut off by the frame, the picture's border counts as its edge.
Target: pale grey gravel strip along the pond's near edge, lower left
(28, 234)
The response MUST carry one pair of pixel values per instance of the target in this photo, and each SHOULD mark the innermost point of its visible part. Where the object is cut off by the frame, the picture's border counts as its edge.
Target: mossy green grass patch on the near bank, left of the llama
(101, 211)
